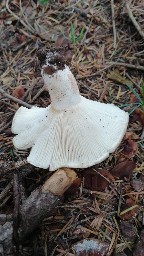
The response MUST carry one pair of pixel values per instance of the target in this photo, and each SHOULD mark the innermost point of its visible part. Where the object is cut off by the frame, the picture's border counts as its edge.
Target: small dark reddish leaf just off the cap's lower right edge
(130, 148)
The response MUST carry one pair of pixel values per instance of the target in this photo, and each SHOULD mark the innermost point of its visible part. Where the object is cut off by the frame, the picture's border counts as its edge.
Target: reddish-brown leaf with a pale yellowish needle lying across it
(129, 210)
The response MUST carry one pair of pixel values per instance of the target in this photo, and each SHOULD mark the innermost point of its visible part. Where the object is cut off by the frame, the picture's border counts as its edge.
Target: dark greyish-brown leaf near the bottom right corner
(128, 230)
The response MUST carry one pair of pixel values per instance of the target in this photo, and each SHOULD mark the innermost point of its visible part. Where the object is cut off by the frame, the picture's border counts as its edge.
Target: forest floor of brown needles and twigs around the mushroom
(106, 202)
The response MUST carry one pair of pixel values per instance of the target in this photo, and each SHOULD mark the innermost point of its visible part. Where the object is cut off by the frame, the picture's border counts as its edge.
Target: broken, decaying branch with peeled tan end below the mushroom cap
(40, 204)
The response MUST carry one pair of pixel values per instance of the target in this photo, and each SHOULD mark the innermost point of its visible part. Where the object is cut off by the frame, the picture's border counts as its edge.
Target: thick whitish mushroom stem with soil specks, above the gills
(62, 87)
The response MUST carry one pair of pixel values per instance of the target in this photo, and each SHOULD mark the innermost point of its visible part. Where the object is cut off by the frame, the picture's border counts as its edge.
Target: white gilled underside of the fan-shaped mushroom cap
(79, 137)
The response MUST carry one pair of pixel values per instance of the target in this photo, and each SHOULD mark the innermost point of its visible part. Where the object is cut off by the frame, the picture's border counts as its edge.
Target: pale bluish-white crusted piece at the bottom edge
(91, 247)
